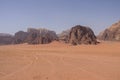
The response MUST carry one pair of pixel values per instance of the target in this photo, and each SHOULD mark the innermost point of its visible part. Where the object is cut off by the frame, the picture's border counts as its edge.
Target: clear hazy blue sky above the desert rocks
(57, 15)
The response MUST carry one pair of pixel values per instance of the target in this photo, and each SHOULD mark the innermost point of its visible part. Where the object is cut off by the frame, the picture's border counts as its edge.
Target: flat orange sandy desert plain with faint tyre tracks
(59, 61)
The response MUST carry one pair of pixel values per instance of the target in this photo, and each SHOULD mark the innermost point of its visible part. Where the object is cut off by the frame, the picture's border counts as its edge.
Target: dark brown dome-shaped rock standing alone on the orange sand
(82, 35)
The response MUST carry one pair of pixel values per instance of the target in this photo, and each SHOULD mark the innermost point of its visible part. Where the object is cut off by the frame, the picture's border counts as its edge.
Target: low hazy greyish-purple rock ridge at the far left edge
(5, 39)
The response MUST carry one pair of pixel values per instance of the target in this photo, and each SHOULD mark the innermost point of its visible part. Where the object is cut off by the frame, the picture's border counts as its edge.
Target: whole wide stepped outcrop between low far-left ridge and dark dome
(34, 36)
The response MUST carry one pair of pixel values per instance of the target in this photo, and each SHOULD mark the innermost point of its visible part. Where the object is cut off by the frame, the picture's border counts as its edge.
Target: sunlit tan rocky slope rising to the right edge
(111, 34)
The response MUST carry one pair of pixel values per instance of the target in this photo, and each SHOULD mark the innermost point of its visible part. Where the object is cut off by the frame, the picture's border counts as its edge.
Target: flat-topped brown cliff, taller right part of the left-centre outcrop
(40, 36)
